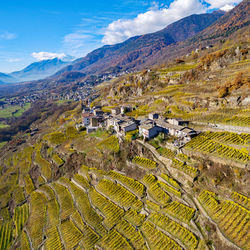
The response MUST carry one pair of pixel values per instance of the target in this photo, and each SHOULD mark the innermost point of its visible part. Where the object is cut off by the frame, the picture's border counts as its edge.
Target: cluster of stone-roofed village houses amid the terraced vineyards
(148, 127)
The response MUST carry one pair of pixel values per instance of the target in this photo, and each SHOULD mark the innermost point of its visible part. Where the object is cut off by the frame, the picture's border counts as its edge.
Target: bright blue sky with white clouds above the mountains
(34, 30)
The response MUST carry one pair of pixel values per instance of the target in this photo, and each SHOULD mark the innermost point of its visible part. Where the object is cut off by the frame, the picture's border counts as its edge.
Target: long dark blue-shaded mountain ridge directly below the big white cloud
(135, 51)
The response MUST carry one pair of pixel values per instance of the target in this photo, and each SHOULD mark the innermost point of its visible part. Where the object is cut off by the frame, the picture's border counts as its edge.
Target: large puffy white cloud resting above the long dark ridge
(151, 21)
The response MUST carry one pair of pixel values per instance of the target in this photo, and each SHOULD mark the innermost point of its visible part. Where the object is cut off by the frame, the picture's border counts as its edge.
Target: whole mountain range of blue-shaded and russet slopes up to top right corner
(145, 51)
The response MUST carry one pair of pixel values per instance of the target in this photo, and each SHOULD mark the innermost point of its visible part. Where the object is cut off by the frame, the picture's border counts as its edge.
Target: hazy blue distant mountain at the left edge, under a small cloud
(35, 71)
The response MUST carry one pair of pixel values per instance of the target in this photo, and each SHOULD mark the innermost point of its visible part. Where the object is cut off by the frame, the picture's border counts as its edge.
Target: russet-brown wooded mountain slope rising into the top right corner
(235, 21)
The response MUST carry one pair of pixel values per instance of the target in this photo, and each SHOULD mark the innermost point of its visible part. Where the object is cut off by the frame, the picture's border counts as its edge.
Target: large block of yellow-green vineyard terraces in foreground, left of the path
(110, 214)
